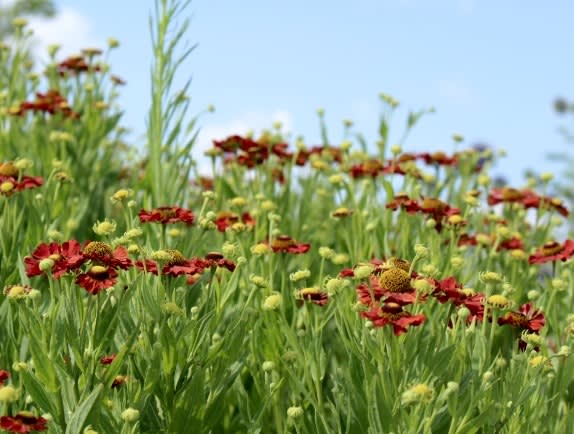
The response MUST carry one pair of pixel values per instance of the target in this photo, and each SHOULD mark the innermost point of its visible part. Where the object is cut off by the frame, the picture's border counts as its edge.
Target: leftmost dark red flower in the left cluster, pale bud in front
(66, 257)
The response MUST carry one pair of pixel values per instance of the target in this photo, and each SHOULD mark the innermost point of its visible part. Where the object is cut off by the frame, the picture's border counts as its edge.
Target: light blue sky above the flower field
(490, 68)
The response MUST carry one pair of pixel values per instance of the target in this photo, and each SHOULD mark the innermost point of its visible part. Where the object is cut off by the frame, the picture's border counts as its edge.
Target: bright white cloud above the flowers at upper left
(68, 28)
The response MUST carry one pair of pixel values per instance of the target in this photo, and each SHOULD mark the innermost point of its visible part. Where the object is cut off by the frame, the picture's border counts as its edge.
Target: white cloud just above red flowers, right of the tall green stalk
(251, 121)
